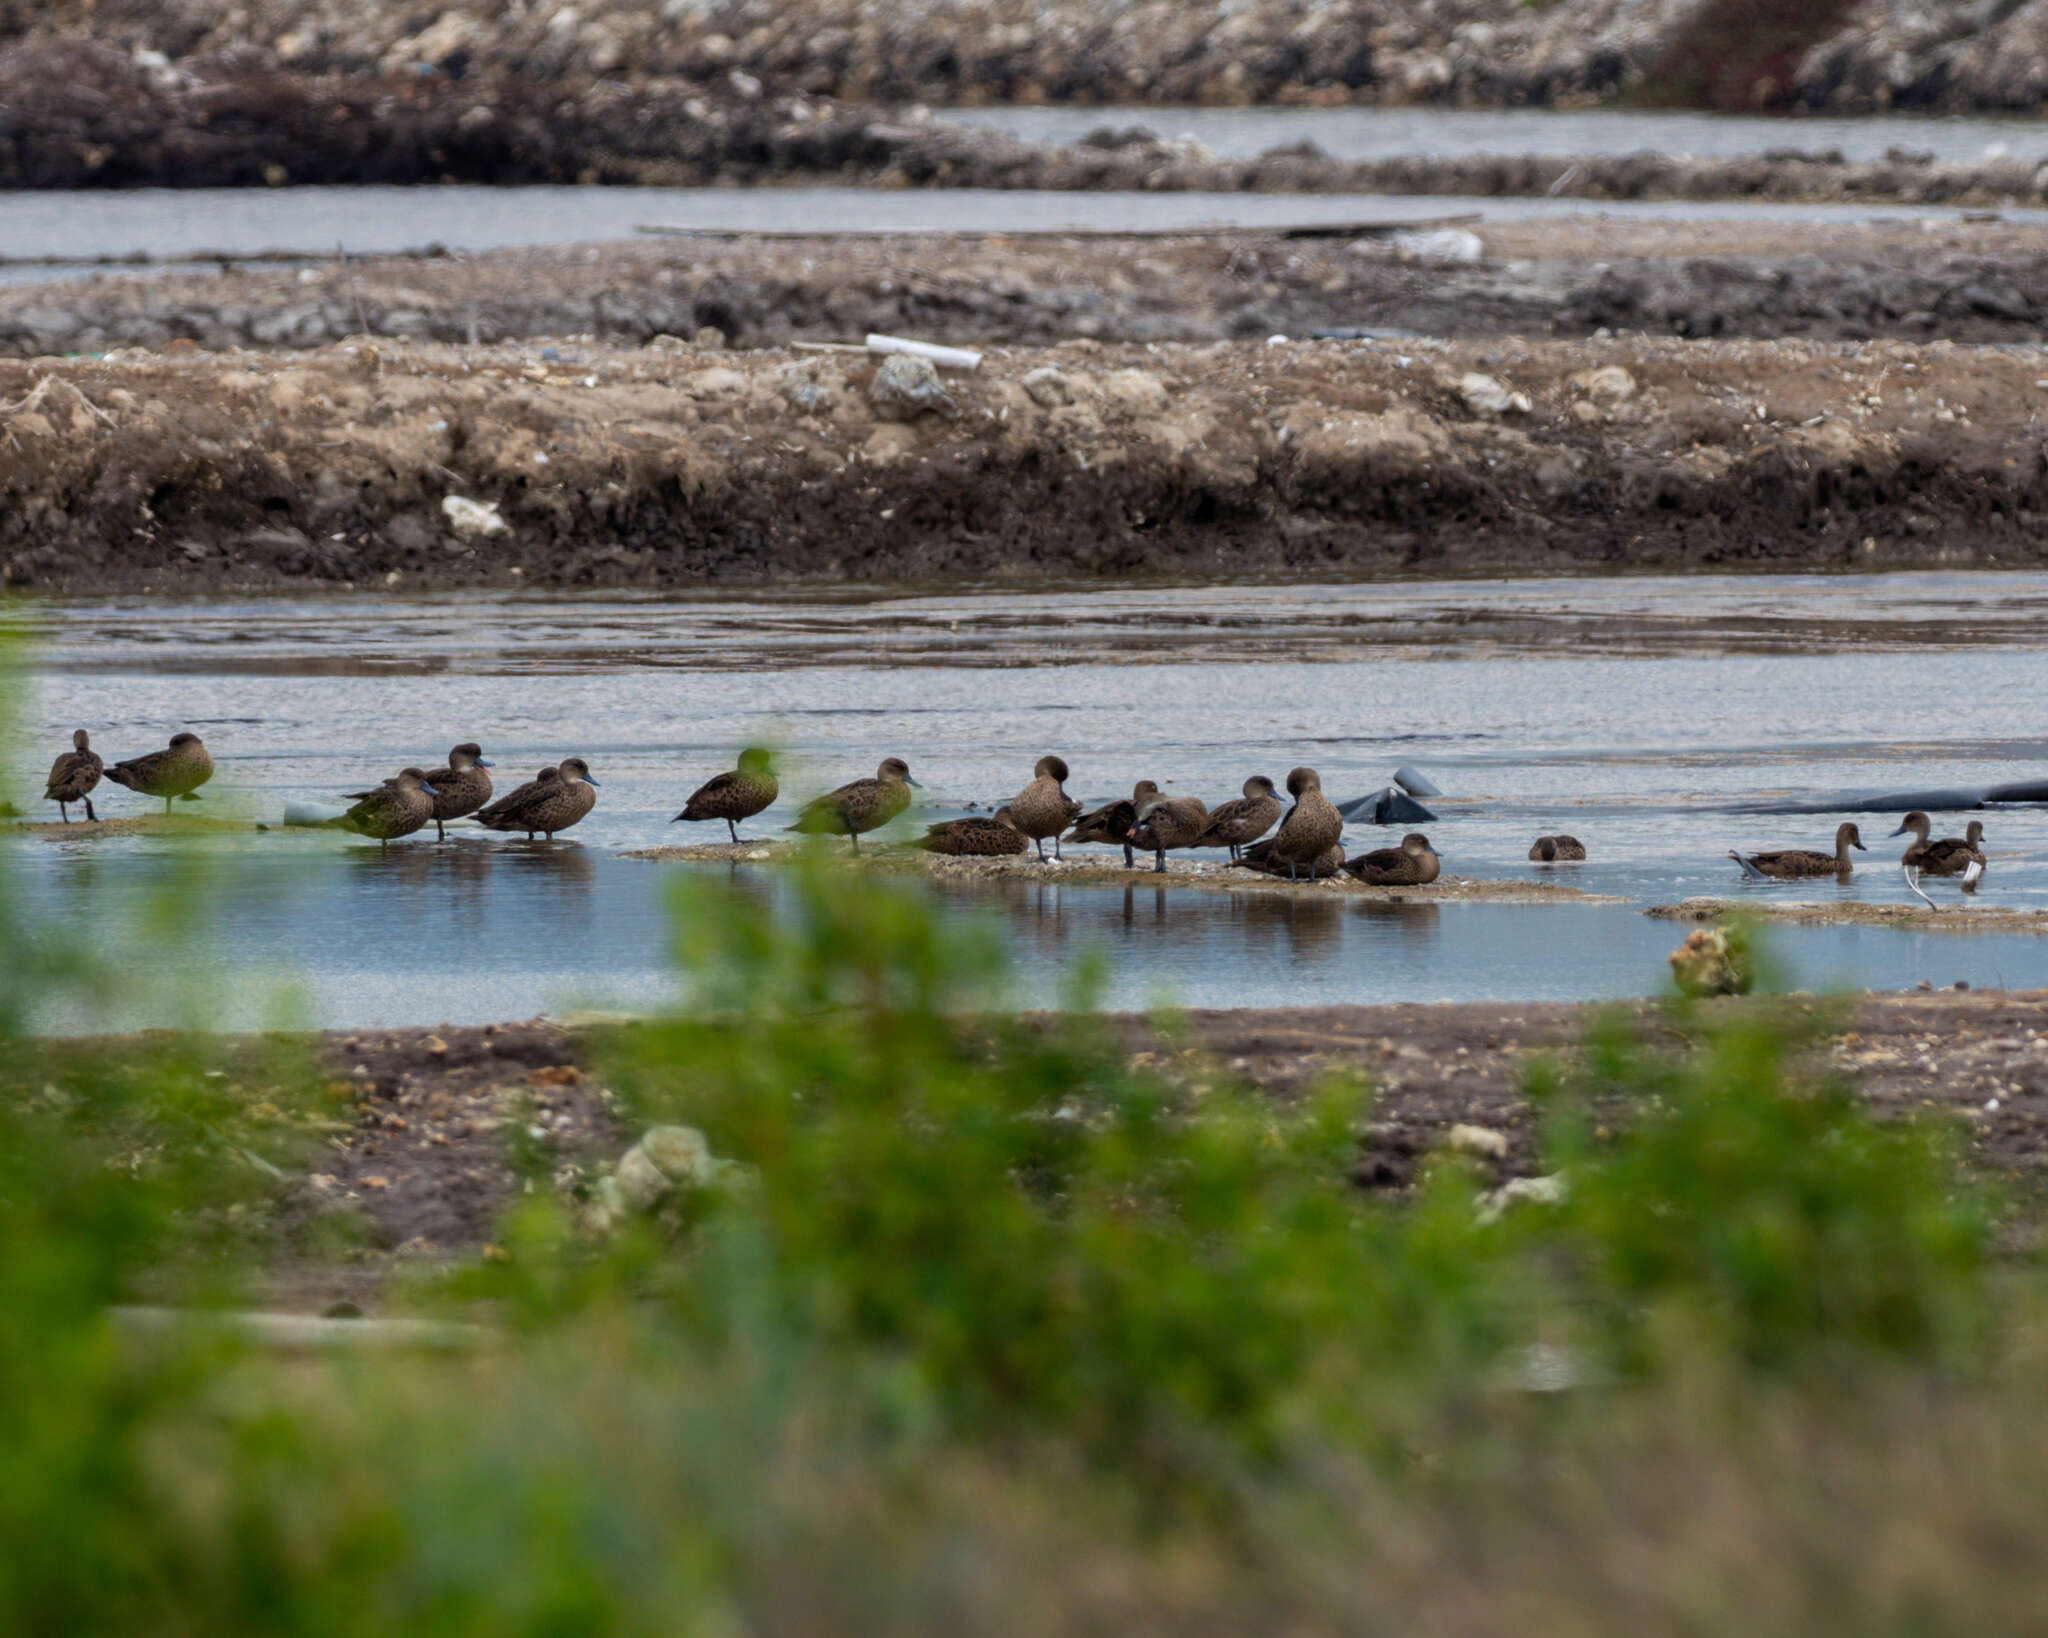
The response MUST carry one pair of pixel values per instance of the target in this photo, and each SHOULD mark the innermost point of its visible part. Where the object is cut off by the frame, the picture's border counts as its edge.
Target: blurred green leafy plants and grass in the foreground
(974, 1328)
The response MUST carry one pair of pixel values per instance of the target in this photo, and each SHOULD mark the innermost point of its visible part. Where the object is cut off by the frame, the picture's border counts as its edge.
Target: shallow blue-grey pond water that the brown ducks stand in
(1625, 712)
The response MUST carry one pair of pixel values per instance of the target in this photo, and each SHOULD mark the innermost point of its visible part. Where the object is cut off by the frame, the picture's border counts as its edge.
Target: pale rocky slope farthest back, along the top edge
(1775, 54)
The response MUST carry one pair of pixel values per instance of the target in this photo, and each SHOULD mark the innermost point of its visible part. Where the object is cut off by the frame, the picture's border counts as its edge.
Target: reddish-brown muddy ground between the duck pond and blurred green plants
(413, 1150)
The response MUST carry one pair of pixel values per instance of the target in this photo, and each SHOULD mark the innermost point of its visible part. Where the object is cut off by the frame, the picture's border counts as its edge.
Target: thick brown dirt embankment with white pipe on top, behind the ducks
(671, 468)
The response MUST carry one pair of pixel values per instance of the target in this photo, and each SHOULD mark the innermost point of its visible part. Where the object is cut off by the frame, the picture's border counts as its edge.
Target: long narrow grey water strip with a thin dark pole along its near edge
(370, 222)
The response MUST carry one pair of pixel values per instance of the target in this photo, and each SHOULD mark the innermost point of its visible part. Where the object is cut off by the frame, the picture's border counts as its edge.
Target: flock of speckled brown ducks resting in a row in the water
(1306, 838)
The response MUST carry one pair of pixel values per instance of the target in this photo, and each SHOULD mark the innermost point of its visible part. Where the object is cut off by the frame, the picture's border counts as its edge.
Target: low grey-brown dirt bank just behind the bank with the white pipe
(1965, 282)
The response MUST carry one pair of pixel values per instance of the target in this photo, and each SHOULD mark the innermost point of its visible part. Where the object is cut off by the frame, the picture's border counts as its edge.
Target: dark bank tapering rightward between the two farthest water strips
(83, 116)
